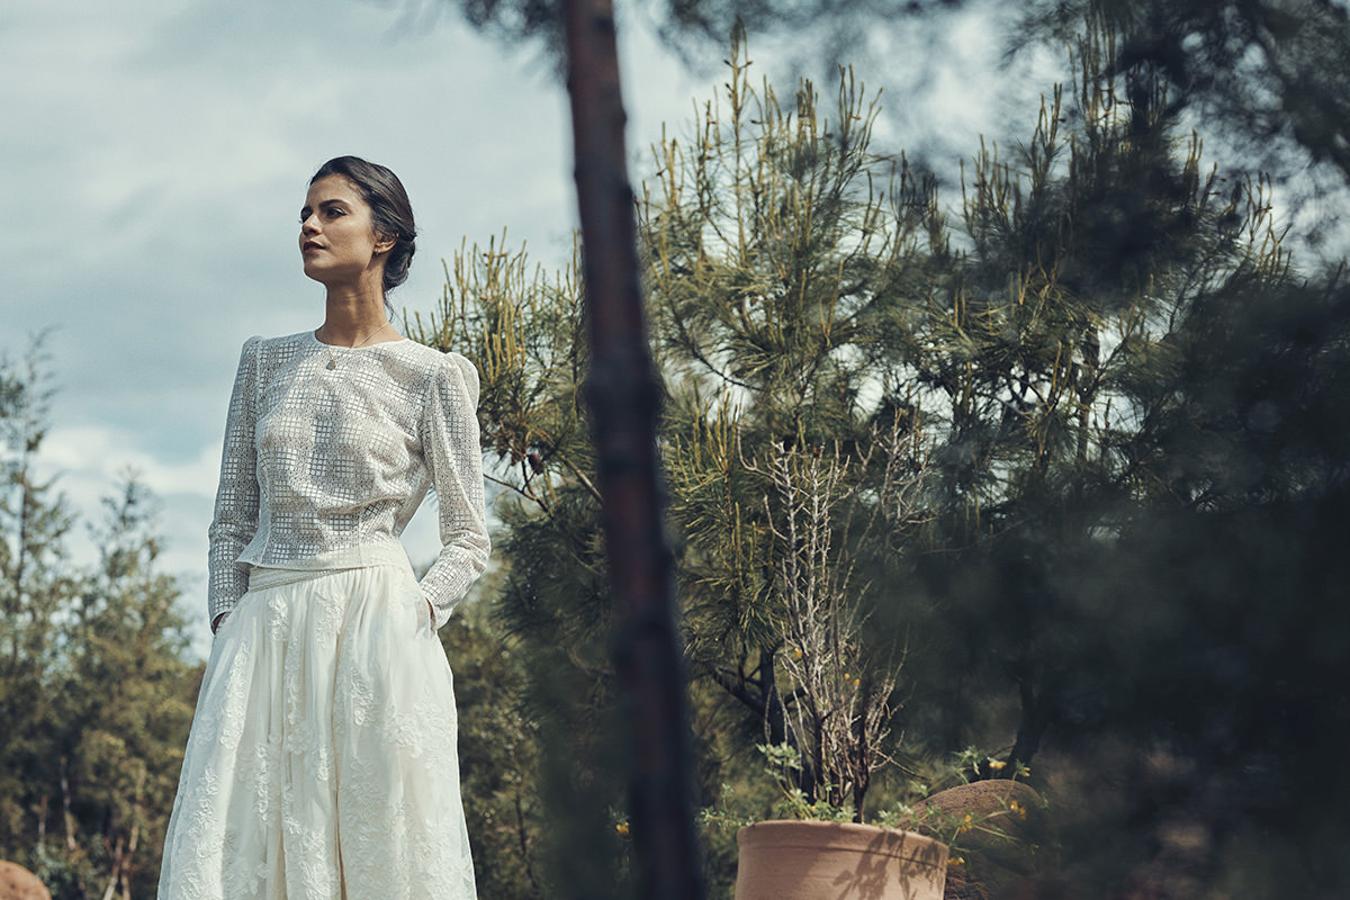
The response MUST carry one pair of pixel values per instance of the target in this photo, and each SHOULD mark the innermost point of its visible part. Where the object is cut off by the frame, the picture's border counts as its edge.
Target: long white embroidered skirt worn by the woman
(322, 762)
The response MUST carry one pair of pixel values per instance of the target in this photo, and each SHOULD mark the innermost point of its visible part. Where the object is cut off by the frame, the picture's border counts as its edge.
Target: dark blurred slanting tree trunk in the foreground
(623, 395)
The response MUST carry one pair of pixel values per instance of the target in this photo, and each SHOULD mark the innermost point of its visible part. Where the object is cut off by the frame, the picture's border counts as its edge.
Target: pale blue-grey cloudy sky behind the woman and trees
(157, 153)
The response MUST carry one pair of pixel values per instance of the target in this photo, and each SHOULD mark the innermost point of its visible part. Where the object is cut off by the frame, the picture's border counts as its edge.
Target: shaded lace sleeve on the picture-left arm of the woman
(236, 520)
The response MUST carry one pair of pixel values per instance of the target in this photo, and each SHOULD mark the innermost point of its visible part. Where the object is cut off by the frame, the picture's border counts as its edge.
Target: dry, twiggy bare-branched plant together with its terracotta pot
(840, 710)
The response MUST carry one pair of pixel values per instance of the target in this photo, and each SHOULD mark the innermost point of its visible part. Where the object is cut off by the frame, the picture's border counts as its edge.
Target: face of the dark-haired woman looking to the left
(338, 240)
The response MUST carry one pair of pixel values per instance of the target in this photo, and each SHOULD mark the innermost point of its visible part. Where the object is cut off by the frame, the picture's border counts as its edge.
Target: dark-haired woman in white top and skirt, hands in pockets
(322, 760)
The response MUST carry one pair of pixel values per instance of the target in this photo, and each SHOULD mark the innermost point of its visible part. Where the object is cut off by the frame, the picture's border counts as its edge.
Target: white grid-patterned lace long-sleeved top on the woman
(318, 461)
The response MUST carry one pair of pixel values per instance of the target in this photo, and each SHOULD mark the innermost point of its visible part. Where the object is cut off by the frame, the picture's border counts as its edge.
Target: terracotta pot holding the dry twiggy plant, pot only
(797, 860)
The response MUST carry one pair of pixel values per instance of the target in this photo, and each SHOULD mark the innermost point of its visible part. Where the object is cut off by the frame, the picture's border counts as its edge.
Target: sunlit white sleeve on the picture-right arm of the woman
(456, 461)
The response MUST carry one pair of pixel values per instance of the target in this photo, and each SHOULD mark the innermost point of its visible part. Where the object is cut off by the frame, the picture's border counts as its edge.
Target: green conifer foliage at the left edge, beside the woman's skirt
(95, 689)
